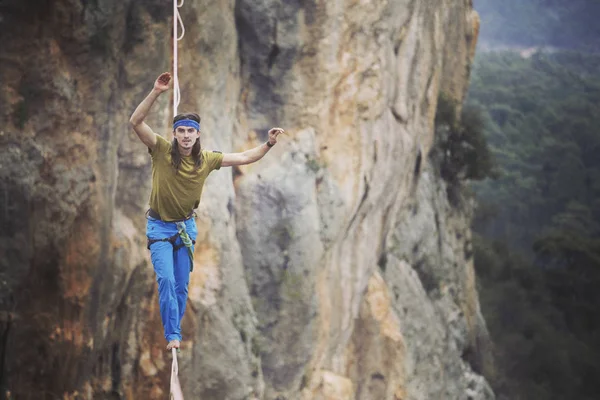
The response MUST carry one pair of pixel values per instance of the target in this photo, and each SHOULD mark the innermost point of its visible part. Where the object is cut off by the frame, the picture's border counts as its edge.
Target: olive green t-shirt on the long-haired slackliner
(175, 195)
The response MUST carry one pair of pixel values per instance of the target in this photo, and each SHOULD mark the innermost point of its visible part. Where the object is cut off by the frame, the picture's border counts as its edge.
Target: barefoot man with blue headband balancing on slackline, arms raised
(179, 170)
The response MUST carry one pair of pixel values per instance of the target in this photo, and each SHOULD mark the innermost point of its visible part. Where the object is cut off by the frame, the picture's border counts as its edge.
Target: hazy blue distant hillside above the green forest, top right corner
(555, 23)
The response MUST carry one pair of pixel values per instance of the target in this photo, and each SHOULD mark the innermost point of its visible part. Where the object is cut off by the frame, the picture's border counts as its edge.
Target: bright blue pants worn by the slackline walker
(172, 272)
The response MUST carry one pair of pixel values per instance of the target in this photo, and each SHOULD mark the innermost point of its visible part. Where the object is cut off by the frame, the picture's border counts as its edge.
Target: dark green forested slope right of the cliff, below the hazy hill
(537, 226)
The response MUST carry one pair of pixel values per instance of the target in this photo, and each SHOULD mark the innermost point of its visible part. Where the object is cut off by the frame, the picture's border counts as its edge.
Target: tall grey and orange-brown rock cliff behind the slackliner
(335, 268)
